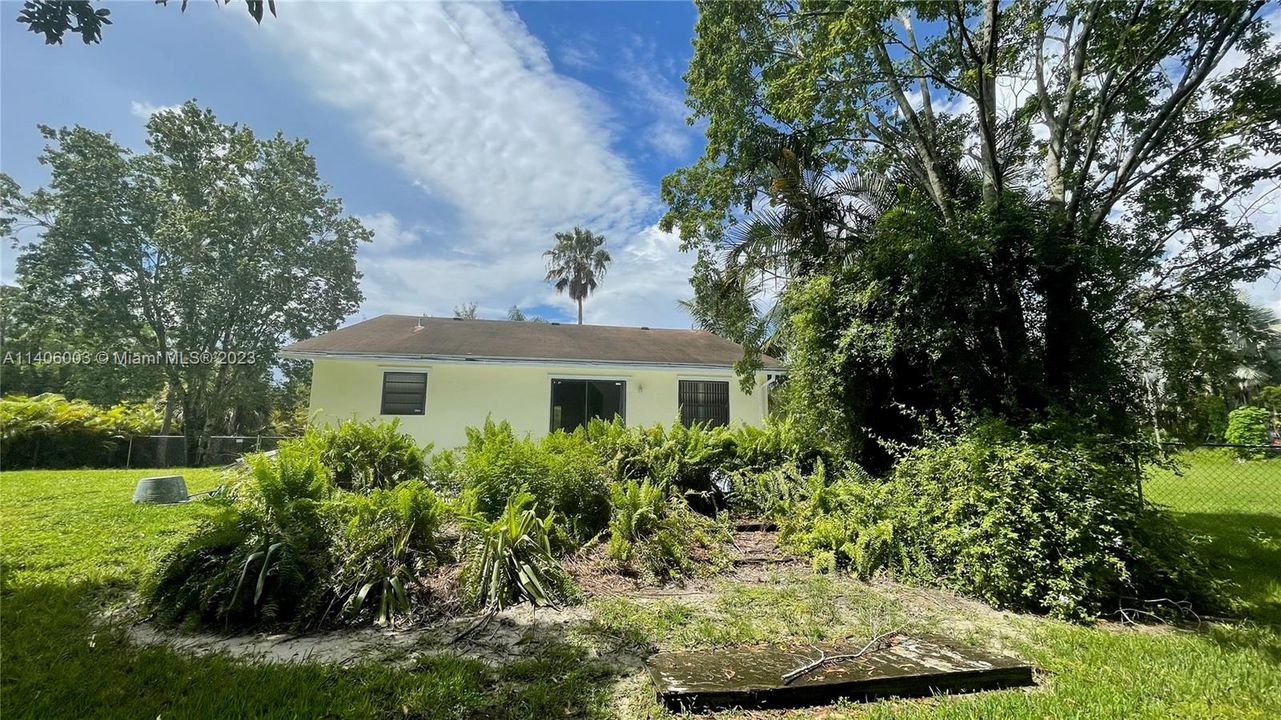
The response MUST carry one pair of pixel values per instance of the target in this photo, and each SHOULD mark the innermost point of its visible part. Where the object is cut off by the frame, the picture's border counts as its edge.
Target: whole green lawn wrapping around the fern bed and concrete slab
(72, 546)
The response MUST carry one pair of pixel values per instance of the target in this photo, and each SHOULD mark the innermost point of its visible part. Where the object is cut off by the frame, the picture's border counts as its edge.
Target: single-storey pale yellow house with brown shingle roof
(441, 375)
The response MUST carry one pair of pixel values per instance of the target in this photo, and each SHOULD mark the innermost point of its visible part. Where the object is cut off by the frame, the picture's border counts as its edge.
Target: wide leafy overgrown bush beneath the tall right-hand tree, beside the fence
(1020, 525)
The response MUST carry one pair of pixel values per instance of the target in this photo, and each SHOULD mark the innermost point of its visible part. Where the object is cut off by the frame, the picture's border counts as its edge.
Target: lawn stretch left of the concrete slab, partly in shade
(72, 544)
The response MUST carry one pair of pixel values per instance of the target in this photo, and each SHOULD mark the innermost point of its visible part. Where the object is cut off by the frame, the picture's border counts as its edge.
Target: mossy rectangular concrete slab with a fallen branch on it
(753, 677)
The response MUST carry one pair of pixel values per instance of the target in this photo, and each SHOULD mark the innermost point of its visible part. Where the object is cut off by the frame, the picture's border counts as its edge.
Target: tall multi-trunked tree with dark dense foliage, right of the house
(986, 195)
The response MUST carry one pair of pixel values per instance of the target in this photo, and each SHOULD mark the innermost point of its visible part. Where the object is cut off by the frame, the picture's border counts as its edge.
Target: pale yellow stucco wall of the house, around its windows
(463, 394)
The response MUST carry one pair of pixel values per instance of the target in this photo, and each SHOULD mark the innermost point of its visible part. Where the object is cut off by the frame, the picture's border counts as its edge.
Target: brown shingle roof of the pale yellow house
(503, 340)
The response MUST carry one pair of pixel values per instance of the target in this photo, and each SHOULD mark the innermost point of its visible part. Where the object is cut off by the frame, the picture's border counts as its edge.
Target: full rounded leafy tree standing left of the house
(209, 252)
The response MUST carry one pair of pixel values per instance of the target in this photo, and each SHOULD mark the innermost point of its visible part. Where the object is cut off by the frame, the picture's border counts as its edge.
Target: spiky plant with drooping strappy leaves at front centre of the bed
(513, 560)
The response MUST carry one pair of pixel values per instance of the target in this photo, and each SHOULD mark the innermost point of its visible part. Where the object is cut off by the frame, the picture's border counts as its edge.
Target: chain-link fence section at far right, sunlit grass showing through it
(1218, 480)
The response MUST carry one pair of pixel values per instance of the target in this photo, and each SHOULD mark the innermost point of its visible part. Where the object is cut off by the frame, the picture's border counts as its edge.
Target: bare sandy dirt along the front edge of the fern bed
(526, 632)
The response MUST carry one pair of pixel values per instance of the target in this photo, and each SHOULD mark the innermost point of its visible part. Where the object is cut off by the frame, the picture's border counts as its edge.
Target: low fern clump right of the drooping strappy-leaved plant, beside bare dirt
(659, 536)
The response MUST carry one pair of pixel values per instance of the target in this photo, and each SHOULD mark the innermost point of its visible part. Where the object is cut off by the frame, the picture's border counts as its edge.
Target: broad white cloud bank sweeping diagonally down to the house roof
(466, 102)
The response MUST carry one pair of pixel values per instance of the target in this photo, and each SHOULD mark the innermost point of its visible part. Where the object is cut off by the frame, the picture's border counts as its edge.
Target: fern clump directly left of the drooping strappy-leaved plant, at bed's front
(385, 543)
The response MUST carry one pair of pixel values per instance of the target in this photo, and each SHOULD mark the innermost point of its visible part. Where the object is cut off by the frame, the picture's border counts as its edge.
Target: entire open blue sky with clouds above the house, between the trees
(464, 134)
